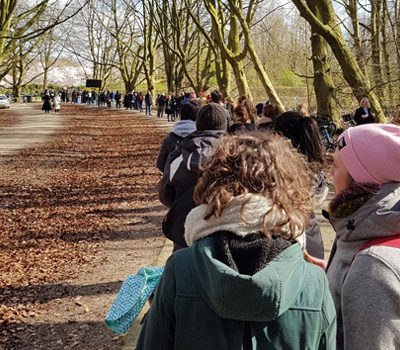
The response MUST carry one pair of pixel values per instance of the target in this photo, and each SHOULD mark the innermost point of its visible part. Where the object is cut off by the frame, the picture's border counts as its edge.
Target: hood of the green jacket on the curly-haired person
(258, 298)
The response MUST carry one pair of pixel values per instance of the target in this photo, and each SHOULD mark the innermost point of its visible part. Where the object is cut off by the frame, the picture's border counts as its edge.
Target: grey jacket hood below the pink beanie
(378, 217)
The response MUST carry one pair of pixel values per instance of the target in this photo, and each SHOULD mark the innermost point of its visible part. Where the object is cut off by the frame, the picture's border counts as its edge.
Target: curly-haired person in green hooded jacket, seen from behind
(244, 283)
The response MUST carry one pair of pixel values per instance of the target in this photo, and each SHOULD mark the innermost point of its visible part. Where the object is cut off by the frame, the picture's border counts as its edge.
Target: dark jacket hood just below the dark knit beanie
(197, 145)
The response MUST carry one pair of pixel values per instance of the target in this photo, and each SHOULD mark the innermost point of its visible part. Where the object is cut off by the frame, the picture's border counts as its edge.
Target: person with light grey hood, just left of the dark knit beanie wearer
(181, 129)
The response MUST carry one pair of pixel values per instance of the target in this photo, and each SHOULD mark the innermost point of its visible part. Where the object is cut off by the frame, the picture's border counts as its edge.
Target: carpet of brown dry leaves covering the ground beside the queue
(59, 201)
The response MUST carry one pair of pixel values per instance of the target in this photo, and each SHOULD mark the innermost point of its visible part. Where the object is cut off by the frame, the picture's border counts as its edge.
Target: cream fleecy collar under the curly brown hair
(230, 220)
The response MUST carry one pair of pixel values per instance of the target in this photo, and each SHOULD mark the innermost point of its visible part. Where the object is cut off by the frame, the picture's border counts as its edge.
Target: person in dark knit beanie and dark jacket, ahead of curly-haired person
(182, 170)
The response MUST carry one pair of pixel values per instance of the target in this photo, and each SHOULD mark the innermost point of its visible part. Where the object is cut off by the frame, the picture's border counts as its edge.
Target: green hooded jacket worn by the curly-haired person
(201, 303)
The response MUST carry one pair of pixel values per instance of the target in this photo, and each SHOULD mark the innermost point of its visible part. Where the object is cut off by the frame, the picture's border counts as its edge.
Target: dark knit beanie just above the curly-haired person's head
(212, 117)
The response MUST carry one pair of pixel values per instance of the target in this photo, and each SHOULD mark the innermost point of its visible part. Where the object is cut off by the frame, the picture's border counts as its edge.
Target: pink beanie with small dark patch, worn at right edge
(371, 153)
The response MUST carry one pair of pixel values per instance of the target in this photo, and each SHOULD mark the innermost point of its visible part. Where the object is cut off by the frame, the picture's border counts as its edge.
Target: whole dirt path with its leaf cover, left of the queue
(77, 214)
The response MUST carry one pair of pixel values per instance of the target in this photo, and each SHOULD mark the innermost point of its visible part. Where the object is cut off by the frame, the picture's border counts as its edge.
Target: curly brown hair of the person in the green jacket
(263, 164)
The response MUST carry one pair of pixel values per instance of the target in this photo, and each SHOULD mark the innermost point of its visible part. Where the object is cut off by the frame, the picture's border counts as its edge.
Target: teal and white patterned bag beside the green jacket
(131, 298)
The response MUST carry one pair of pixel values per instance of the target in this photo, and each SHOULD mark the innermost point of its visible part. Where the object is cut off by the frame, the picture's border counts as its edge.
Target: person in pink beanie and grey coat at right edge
(364, 265)
